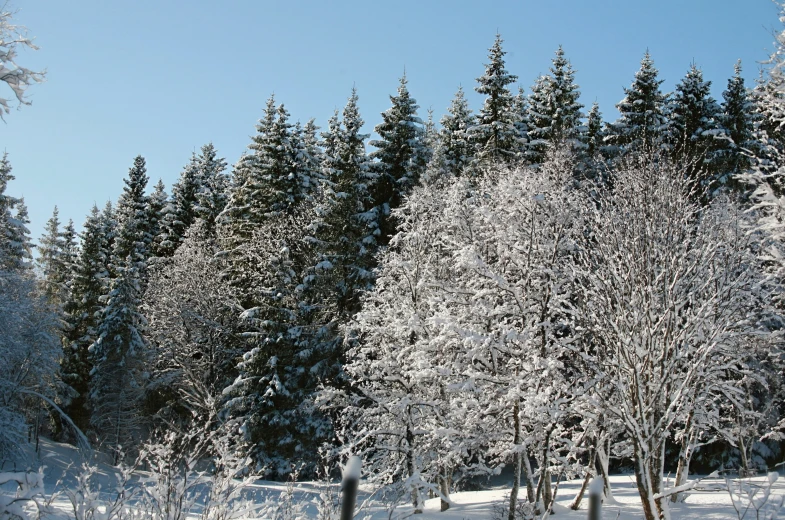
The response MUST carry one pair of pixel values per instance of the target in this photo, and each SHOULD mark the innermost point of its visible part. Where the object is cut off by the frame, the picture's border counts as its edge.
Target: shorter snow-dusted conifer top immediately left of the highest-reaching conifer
(454, 150)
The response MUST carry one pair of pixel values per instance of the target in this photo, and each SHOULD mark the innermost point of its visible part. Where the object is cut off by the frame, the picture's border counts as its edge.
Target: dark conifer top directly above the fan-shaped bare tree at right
(642, 121)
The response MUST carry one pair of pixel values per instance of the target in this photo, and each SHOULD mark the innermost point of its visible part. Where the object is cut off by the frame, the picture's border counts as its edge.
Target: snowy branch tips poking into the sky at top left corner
(17, 78)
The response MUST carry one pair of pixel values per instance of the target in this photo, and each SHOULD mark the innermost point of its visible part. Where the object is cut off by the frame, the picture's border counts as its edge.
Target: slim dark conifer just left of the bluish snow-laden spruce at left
(82, 311)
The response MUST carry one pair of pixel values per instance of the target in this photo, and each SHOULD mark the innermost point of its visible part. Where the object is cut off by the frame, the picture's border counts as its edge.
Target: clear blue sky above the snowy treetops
(162, 77)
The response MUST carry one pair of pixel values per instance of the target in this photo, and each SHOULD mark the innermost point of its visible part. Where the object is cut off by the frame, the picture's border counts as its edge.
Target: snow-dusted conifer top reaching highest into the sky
(495, 136)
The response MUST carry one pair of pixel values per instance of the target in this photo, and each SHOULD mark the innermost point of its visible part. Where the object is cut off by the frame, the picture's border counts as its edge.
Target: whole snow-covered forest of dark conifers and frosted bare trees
(523, 286)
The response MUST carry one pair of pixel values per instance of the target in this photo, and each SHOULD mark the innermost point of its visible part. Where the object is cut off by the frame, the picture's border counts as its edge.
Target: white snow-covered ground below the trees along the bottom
(709, 500)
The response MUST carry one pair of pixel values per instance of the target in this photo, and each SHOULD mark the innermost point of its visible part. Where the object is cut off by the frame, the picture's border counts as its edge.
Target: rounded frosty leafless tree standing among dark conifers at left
(192, 317)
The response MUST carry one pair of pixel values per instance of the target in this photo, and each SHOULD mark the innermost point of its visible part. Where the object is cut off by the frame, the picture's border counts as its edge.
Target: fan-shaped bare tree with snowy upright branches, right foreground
(668, 301)
